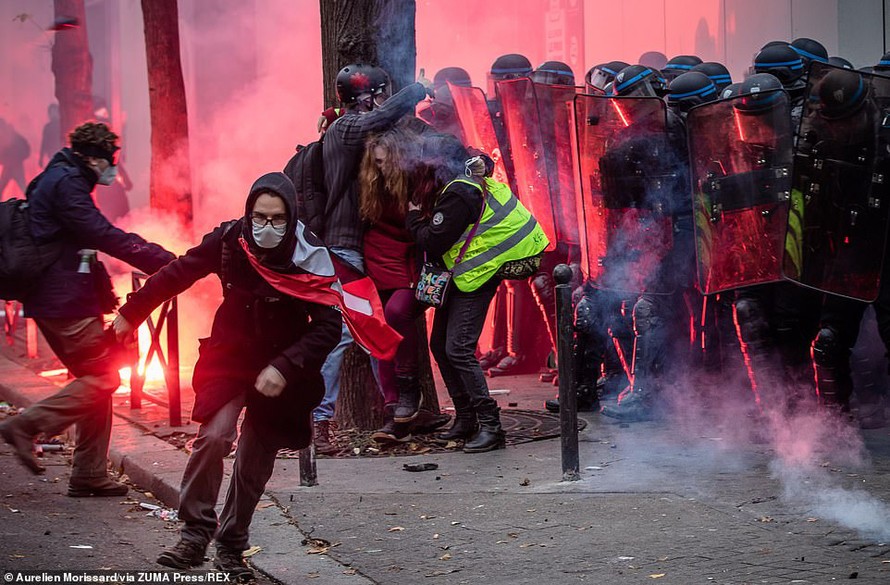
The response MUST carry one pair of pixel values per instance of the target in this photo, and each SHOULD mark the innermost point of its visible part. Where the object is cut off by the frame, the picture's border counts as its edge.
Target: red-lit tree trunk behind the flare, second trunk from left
(170, 184)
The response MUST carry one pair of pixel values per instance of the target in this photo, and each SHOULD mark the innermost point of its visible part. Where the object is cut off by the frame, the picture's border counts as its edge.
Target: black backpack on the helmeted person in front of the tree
(306, 170)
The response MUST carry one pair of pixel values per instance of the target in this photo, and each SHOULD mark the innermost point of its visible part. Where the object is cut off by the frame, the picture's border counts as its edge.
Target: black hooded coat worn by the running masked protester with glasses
(255, 325)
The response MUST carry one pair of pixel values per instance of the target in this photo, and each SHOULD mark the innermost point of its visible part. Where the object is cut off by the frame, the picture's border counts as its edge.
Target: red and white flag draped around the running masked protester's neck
(327, 280)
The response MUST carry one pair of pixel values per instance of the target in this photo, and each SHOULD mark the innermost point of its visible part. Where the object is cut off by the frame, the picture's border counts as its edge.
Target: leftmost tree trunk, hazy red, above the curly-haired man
(72, 67)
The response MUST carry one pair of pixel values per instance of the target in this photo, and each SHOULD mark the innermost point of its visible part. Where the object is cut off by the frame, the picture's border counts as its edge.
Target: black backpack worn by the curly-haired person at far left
(22, 259)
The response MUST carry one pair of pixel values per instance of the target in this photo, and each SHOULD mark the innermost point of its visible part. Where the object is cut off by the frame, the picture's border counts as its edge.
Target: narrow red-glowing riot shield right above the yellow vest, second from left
(527, 147)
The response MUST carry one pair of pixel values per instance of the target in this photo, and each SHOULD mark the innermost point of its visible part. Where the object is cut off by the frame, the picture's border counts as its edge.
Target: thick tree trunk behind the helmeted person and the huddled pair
(378, 32)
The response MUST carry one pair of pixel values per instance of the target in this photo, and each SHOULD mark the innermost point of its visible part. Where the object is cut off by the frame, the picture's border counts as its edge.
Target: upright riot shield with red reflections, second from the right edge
(740, 162)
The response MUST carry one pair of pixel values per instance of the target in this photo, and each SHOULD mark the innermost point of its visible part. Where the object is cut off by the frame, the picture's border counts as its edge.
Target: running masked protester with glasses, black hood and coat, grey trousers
(264, 352)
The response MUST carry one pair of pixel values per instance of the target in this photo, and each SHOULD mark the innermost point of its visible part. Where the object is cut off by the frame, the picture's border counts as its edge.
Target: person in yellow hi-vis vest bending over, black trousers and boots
(480, 232)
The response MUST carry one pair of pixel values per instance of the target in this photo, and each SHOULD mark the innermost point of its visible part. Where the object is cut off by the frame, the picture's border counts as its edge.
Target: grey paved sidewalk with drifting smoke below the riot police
(685, 502)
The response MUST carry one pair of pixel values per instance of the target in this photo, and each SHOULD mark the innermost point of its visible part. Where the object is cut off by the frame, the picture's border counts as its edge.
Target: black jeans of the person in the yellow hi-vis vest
(456, 330)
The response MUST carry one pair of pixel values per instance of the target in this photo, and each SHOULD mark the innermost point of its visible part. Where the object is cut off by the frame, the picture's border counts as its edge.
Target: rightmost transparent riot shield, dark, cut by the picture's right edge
(837, 224)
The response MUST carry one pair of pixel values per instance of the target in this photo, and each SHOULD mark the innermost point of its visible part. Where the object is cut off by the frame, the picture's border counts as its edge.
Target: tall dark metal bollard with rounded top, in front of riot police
(568, 401)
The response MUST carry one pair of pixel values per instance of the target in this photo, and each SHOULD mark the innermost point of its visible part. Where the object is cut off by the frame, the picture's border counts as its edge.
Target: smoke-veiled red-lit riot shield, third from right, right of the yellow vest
(629, 186)
